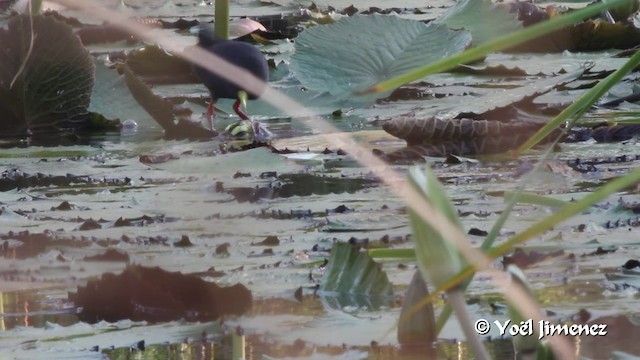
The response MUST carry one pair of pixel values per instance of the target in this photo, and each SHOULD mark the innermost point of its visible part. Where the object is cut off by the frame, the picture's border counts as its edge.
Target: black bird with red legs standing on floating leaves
(241, 54)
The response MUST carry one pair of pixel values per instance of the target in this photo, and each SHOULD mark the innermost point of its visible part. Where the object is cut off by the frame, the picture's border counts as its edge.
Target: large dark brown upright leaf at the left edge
(52, 91)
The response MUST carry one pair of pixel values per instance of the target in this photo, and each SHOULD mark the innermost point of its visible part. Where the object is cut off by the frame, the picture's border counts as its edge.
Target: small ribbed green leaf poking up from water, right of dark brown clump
(353, 272)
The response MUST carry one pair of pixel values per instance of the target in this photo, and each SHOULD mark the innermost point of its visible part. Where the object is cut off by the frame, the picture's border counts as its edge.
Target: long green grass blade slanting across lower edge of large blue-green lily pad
(498, 44)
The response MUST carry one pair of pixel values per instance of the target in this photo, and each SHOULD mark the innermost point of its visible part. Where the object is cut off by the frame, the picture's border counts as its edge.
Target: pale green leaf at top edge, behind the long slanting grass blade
(496, 21)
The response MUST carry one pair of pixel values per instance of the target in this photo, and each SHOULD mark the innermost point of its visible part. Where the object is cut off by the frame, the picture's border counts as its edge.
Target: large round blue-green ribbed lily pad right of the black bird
(359, 51)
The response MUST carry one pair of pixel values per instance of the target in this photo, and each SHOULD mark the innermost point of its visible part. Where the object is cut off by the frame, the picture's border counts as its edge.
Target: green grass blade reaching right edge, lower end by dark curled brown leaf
(583, 103)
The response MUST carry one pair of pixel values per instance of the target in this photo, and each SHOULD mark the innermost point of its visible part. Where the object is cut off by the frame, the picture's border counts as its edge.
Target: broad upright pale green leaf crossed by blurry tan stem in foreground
(438, 258)
